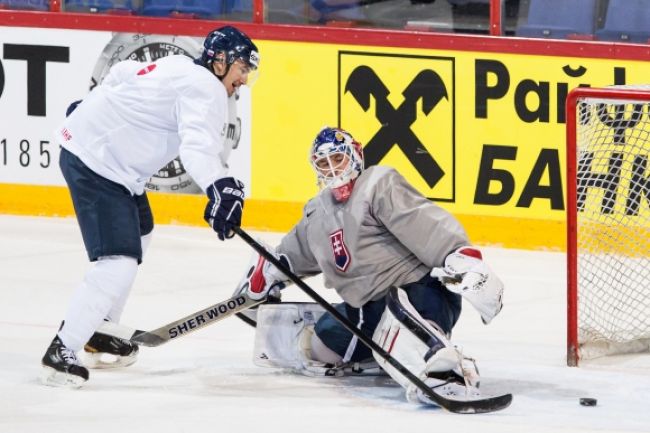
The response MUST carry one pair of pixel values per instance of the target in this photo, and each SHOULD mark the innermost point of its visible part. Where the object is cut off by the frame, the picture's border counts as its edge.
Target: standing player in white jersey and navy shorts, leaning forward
(137, 120)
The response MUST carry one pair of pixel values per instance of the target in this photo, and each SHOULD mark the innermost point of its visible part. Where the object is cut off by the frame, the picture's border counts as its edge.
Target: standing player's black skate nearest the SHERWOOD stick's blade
(103, 351)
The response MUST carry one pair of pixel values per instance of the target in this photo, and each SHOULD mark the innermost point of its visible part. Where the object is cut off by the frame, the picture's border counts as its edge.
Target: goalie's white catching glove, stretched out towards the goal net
(467, 274)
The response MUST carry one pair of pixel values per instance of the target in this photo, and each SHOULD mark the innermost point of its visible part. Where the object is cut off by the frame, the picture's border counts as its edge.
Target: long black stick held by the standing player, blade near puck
(488, 404)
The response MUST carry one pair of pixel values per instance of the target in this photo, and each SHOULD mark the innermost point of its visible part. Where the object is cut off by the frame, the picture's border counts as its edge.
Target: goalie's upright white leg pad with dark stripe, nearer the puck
(419, 346)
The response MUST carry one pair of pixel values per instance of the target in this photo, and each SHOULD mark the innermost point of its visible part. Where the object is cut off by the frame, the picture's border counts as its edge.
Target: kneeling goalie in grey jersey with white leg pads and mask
(400, 263)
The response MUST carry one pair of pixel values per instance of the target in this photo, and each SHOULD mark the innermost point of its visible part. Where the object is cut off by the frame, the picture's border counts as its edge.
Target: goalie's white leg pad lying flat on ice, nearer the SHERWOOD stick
(285, 338)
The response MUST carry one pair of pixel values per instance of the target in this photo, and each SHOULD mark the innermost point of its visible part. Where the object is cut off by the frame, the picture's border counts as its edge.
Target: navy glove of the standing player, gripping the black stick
(225, 205)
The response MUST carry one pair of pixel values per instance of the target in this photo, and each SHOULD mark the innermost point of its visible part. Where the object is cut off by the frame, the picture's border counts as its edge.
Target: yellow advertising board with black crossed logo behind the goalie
(482, 134)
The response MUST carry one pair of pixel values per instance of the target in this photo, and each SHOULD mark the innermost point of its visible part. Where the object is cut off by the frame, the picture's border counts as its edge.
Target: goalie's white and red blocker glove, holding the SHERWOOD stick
(262, 278)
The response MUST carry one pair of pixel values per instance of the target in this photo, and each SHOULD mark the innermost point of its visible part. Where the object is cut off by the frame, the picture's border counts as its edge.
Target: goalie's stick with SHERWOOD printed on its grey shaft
(180, 327)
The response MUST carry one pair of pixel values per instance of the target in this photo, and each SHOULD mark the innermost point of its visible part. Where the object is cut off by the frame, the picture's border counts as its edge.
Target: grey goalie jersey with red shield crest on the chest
(386, 234)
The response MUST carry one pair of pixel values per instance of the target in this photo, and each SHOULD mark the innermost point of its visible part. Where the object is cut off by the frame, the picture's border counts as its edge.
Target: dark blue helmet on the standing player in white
(229, 44)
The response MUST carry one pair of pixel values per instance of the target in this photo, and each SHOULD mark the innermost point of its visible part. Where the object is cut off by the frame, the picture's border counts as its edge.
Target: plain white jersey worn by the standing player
(144, 115)
